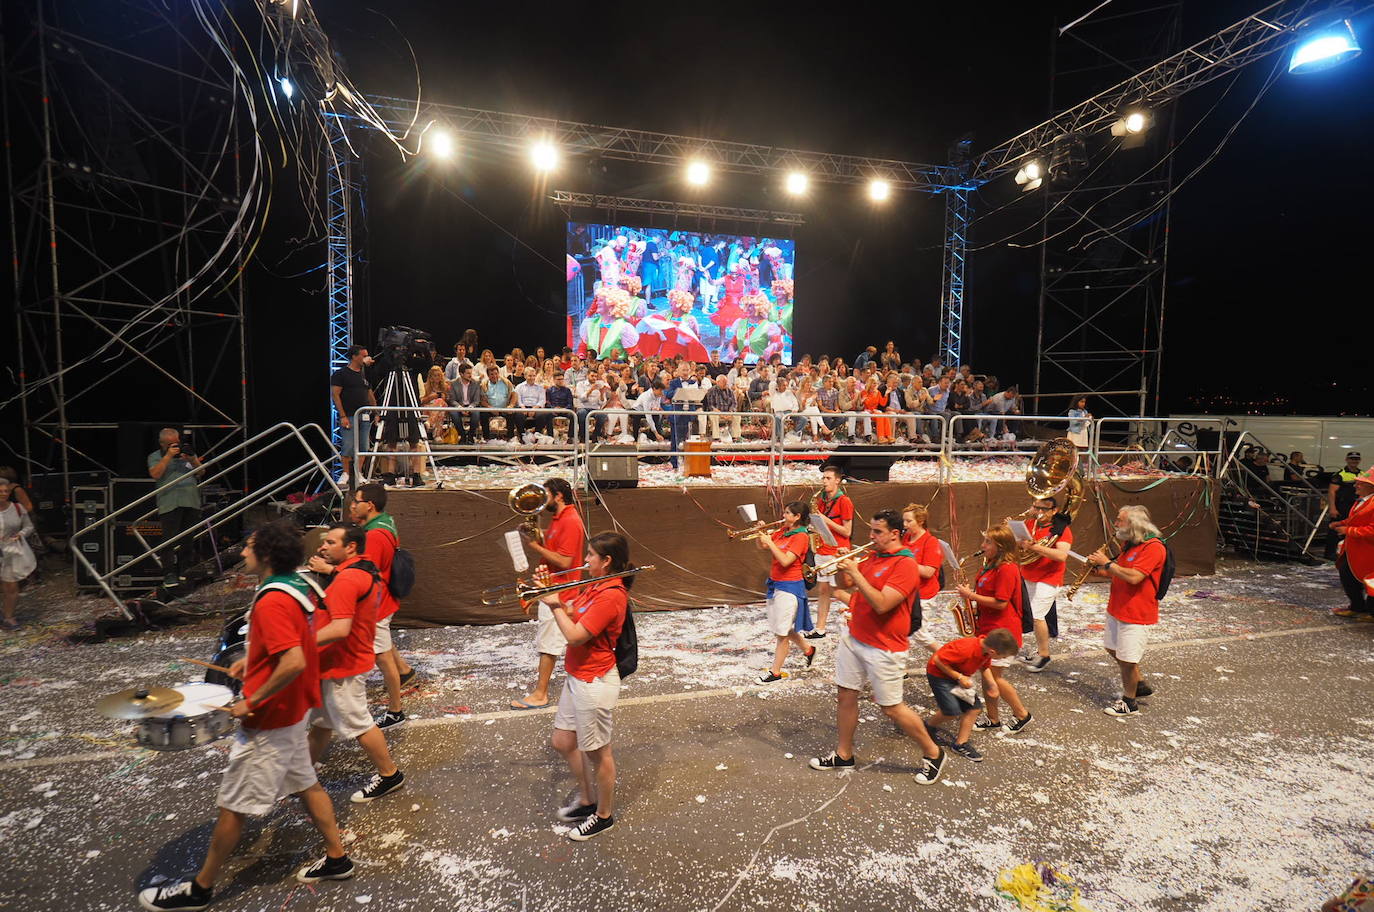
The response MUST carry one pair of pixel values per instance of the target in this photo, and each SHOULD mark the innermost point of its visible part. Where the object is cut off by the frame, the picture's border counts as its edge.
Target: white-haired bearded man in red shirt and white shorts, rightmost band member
(1133, 605)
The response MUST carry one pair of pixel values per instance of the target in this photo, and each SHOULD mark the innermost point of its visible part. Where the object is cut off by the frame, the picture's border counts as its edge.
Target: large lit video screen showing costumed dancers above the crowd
(686, 293)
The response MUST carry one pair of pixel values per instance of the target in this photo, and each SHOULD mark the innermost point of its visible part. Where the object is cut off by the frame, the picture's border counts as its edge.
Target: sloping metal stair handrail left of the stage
(285, 435)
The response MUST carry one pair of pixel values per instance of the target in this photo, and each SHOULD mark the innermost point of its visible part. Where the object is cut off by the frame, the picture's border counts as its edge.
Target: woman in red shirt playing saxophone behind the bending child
(997, 597)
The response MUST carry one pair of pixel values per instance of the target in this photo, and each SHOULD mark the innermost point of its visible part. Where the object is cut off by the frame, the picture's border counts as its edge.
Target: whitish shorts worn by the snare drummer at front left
(266, 764)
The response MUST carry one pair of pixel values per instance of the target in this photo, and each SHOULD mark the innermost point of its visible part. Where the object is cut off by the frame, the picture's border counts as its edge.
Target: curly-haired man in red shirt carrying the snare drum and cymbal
(271, 756)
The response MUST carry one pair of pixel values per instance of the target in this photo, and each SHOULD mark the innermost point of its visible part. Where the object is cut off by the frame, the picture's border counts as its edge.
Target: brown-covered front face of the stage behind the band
(457, 536)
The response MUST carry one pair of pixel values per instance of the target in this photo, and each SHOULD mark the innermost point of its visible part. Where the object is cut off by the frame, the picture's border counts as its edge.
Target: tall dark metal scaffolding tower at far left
(127, 204)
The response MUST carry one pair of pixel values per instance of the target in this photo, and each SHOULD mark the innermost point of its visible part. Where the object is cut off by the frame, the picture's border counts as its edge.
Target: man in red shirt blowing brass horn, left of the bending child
(876, 646)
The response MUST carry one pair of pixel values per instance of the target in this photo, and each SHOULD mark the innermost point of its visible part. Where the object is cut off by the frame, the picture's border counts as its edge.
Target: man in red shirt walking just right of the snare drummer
(344, 637)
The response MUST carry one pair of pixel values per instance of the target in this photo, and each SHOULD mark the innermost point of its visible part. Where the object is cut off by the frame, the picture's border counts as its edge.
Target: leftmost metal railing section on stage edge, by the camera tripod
(513, 453)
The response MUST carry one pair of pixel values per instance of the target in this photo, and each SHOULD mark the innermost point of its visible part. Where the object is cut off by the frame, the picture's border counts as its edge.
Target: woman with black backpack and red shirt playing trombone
(592, 622)
